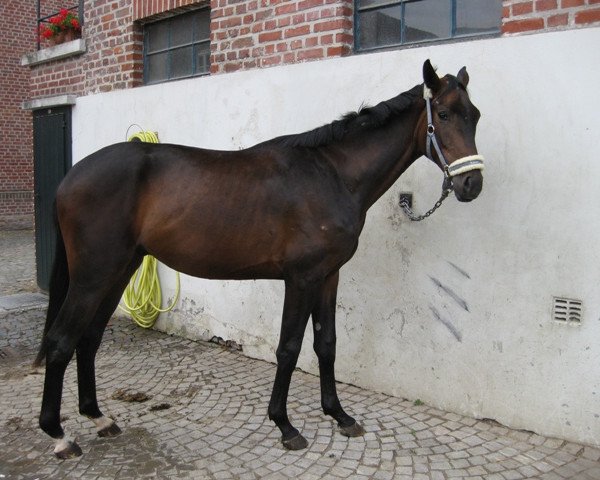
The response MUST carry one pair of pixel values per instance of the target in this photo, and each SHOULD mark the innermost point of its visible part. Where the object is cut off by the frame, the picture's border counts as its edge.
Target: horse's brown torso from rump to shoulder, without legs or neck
(214, 214)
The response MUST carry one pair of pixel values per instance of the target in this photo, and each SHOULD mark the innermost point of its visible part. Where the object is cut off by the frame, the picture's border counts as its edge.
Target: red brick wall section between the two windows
(262, 33)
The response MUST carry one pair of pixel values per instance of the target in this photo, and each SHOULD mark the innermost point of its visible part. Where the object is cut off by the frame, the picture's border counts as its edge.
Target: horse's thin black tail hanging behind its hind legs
(59, 285)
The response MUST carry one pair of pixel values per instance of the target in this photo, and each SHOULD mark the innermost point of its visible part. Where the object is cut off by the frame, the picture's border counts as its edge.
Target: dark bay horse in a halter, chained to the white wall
(291, 208)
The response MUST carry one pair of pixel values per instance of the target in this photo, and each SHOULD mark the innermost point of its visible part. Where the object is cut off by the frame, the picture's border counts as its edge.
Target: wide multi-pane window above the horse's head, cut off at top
(383, 23)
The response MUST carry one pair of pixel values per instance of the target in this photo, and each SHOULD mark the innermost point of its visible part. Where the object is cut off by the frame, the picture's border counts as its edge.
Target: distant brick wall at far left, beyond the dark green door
(16, 161)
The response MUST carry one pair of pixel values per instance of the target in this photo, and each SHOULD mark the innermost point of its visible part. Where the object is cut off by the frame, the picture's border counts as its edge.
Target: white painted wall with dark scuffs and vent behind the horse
(532, 234)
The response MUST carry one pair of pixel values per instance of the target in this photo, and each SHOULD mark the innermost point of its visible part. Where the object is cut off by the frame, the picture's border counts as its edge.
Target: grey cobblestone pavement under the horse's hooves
(203, 416)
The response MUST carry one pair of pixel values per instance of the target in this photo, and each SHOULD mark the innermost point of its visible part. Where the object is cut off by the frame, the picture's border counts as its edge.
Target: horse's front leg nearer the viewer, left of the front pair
(299, 300)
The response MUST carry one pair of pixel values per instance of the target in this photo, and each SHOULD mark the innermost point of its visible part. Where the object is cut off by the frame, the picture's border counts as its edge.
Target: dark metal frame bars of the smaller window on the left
(195, 43)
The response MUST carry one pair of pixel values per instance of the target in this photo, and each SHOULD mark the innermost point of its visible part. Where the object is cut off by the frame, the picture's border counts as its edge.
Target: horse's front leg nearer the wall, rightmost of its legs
(323, 316)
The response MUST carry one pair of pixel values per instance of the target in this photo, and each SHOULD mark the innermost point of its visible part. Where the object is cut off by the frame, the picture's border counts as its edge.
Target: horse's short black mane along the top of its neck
(367, 118)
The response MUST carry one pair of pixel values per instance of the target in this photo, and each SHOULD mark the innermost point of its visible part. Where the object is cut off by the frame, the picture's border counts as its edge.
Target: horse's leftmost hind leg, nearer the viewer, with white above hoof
(61, 340)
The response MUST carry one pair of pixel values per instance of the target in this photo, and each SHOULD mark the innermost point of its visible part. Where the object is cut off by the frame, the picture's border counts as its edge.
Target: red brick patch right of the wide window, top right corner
(534, 15)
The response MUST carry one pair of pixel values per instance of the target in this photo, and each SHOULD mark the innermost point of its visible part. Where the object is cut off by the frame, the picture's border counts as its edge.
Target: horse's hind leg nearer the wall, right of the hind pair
(86, 354)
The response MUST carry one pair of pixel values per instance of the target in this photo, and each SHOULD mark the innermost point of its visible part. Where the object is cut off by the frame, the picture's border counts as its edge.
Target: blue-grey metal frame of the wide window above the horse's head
(402, 43)
